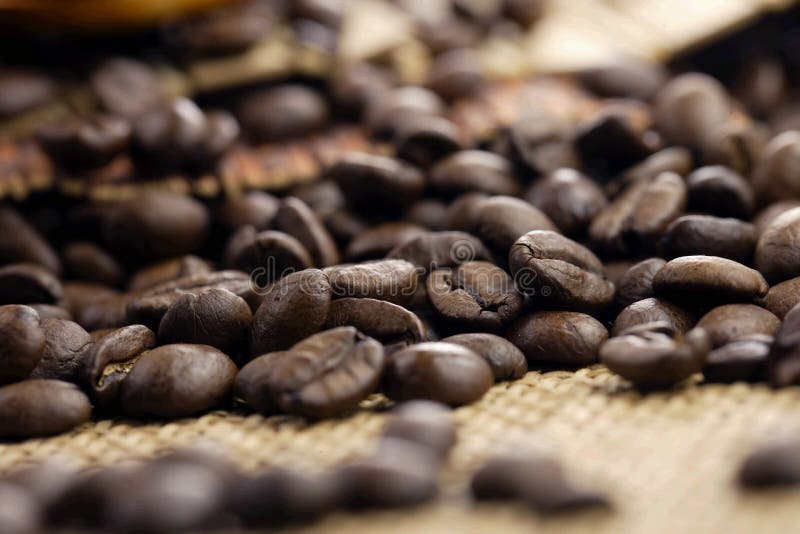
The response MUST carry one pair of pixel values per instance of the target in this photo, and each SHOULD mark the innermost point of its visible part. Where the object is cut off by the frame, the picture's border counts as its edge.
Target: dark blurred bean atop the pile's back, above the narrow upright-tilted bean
(377, 183)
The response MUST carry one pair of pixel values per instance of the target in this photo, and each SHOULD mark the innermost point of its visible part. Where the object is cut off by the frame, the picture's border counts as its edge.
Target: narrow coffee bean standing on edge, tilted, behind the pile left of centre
(296, 219)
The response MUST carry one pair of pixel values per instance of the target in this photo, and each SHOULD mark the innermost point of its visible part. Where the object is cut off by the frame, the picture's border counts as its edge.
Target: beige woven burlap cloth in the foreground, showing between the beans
(667, 460)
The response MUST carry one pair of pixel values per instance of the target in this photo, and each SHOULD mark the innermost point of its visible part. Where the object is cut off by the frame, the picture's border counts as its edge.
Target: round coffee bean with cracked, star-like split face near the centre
(476, 295)
